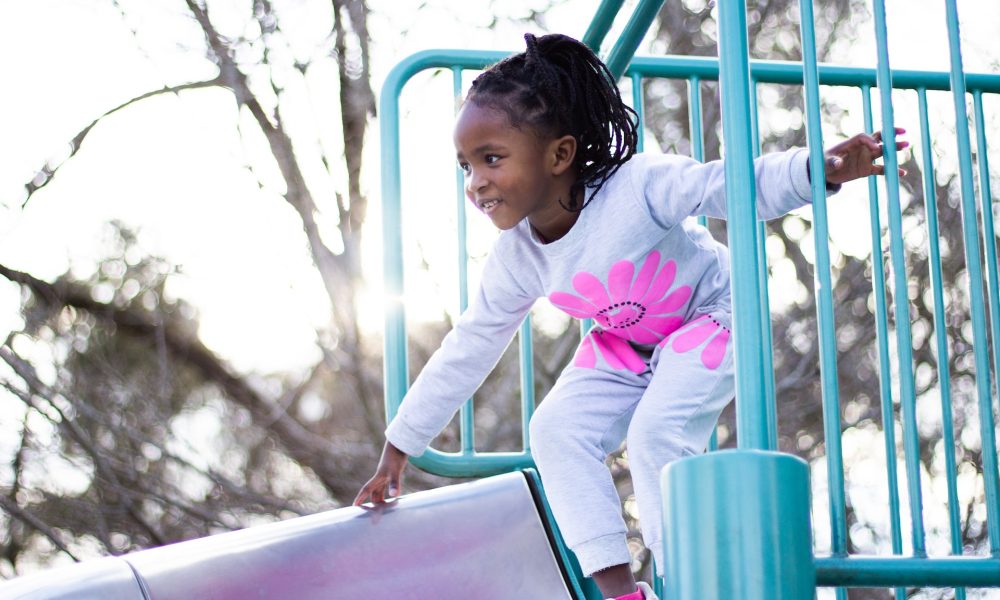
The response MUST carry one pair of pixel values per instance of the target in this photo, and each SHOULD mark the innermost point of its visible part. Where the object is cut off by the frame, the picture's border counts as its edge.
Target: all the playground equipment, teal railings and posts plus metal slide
(738, 523)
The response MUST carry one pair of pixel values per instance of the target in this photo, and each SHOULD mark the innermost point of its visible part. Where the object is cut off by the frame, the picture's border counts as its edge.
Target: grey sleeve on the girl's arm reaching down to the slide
(466, 356)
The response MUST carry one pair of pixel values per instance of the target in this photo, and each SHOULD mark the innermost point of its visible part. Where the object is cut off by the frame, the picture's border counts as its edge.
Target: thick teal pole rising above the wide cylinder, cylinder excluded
(741, 192)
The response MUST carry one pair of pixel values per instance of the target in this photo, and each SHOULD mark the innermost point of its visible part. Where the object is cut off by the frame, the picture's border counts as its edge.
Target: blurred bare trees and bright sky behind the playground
(190, 258)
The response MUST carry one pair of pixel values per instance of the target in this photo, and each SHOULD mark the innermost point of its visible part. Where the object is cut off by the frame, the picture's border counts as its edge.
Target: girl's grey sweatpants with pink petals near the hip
(663, 413)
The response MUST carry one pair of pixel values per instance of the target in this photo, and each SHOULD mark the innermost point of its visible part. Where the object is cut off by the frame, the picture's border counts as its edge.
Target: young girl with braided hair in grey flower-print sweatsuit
(547, 147)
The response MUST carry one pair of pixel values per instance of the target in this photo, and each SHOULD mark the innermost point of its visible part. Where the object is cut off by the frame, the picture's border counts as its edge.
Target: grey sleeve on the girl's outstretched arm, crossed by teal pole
(676, 187)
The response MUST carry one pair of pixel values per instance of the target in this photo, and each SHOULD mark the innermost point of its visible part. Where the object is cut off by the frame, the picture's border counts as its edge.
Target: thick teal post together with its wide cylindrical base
(736, 523)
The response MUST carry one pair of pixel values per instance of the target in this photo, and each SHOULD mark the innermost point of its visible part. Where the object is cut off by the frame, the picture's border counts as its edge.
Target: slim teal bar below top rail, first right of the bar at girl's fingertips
(940, 329)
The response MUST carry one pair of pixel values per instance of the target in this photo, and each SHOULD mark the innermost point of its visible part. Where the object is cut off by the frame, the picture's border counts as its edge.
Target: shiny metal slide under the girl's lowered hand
(483, 540)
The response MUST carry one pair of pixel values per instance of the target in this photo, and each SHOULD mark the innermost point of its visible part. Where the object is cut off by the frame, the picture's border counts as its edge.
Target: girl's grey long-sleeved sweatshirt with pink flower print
(634, 262)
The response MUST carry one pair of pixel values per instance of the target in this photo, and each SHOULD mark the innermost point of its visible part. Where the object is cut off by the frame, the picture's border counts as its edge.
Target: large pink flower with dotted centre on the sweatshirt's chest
(633, 307)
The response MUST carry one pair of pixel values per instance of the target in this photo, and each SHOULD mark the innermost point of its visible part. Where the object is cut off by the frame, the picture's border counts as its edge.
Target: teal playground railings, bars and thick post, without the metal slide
(770, 563)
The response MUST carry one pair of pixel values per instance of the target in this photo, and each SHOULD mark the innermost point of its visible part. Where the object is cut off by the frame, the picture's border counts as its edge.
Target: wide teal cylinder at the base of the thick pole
(737, 525)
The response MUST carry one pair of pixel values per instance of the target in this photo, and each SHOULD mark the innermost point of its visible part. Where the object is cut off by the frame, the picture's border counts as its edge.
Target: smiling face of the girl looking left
(512, 174)
